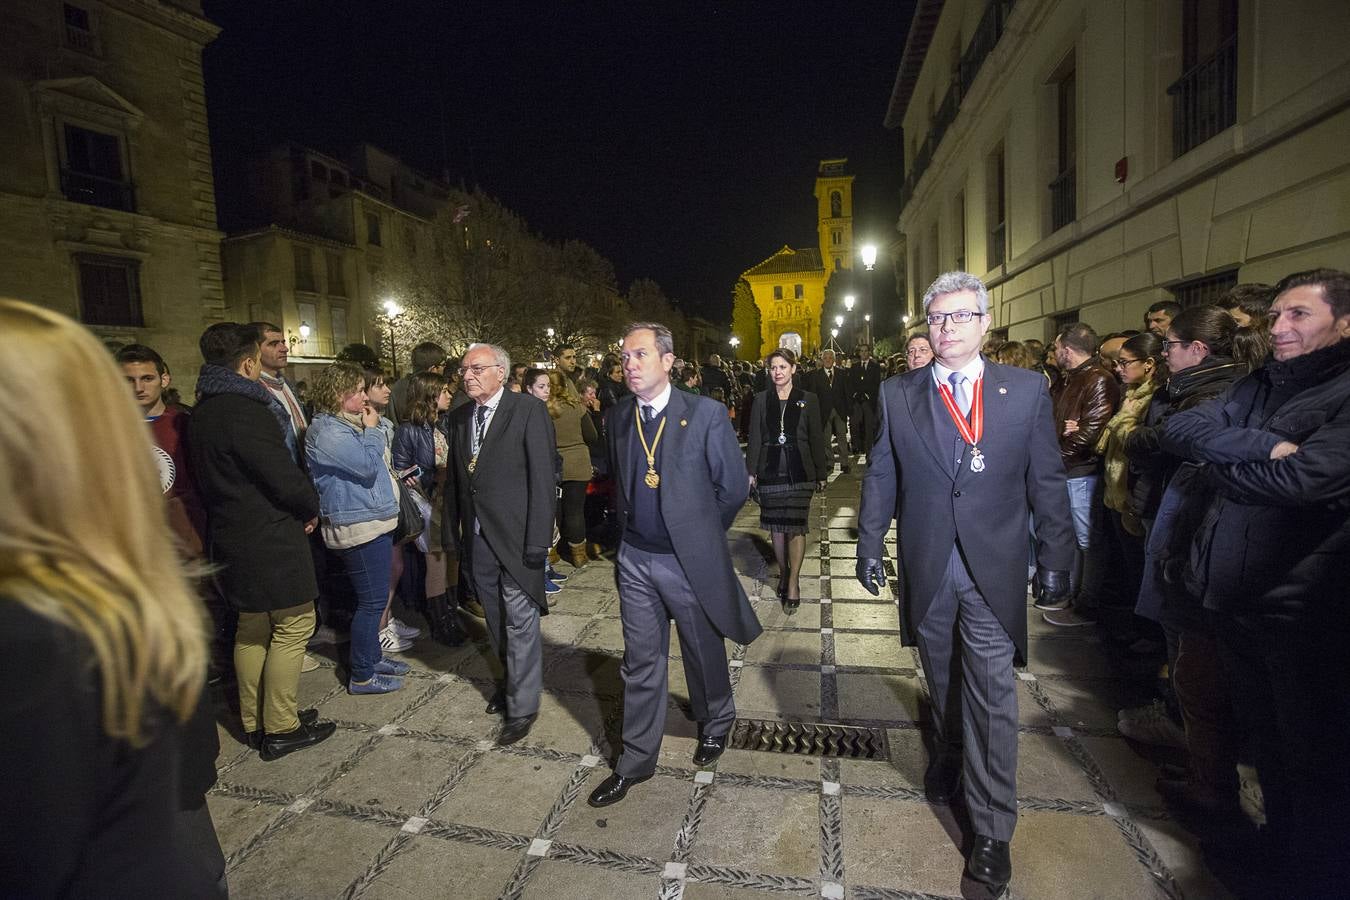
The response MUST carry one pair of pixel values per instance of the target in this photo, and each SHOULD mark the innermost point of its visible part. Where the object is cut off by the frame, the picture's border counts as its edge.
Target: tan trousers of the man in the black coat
(269, 651)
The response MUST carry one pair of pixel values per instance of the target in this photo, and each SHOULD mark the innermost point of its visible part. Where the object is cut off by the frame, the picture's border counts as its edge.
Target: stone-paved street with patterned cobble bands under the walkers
(412, 799)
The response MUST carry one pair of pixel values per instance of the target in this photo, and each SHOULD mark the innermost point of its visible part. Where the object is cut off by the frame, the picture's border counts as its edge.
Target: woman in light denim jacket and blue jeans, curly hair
(358, 500)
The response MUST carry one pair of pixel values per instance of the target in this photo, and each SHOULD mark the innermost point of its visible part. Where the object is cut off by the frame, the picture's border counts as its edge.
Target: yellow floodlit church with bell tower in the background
(789, 287)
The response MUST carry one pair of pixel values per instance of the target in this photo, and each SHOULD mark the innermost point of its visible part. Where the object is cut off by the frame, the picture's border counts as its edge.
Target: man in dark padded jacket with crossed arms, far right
(1271, 562)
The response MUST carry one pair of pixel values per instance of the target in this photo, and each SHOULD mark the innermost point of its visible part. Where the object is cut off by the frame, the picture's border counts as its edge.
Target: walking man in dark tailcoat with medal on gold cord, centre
(678, 473)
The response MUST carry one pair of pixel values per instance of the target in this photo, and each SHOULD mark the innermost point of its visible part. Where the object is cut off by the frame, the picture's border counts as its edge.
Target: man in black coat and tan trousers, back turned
(260, 509)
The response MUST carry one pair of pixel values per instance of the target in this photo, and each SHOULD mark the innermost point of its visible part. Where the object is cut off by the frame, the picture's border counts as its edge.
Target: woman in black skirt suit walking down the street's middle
(789, 462)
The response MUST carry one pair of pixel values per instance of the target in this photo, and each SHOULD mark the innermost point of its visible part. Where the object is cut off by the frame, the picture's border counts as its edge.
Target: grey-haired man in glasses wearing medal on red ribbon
(967, 453)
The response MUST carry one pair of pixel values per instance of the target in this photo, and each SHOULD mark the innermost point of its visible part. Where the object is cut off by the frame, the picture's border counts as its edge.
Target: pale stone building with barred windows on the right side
(1091, 159)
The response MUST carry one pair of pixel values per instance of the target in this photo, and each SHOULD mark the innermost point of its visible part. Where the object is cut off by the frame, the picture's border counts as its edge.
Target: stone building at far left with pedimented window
(107, 202)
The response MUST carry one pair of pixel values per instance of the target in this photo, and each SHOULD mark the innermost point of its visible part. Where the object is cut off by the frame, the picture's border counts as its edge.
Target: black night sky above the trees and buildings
(678, 140)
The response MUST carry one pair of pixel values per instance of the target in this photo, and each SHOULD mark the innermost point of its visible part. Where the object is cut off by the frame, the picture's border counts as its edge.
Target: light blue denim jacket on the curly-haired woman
(350, 472)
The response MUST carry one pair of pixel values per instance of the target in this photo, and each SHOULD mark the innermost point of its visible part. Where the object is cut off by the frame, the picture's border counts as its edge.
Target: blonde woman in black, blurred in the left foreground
(107, 751)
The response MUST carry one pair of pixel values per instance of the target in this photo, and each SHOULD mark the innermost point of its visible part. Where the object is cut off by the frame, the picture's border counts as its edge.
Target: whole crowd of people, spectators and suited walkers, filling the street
(1183, 489)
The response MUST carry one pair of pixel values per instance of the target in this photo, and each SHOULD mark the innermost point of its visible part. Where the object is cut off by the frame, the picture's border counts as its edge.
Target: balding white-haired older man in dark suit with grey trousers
(500, 500)
